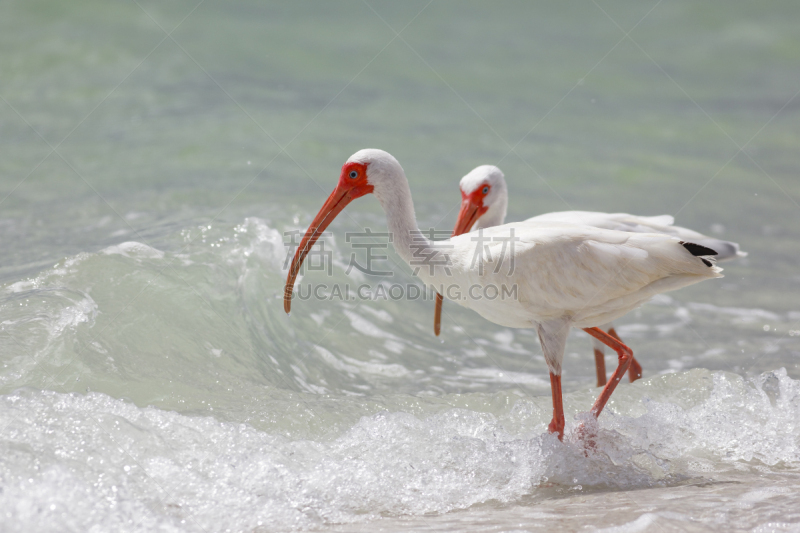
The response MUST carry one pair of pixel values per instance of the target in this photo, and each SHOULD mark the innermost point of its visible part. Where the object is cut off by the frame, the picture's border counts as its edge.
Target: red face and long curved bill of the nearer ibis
(348, 189)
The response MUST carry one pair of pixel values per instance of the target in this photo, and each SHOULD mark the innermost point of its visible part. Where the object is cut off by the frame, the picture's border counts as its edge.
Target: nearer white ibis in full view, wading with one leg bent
(558, 275)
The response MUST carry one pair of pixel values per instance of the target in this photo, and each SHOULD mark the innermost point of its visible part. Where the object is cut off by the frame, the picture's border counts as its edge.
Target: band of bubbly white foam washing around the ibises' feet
(83, 461)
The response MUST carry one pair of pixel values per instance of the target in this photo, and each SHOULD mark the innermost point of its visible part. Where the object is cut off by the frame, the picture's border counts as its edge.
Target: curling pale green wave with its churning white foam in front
(147, 427)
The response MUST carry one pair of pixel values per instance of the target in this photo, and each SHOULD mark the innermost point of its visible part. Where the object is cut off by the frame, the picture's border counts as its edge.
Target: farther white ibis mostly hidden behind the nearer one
(484, 200)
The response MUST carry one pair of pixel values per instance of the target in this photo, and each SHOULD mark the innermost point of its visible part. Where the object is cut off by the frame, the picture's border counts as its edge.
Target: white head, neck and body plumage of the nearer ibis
(584, 275)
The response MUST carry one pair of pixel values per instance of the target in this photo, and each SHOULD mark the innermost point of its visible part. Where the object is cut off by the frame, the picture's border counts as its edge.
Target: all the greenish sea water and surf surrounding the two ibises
(155, 152)
